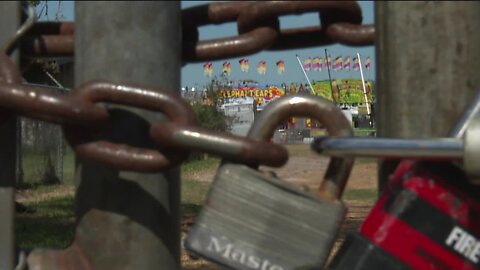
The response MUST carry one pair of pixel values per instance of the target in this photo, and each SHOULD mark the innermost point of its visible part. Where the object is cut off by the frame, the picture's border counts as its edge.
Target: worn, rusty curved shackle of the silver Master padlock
(324, 111)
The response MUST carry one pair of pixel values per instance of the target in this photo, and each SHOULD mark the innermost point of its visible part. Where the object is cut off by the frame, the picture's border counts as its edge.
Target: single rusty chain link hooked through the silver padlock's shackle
(228, 146)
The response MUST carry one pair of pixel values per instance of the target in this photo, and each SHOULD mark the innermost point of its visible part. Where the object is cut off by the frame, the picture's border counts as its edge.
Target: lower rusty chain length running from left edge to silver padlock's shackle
(81, 119)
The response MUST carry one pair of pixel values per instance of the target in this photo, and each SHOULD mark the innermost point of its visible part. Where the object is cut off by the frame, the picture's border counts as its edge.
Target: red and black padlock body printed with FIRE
(428, 218)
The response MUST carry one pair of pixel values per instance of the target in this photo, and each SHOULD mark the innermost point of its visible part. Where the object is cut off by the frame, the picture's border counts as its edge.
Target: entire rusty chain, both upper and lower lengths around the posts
(81, 118)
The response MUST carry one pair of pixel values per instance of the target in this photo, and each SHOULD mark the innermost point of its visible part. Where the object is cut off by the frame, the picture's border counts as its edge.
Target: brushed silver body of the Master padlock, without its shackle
(254, 221)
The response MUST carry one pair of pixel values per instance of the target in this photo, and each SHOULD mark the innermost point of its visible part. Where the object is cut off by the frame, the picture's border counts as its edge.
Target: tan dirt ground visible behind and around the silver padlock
(303, 170)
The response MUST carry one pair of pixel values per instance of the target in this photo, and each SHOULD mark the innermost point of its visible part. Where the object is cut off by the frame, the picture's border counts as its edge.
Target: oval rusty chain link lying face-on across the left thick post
(123, 156)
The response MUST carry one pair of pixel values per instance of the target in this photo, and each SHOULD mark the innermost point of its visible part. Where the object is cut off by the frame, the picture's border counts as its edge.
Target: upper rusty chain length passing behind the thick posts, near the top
(257, 23)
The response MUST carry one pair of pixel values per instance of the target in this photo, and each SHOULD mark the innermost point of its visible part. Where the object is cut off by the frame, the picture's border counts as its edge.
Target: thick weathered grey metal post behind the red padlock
(427, 64)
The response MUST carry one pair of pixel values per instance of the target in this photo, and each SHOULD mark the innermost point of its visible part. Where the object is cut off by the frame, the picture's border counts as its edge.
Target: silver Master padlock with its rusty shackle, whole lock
(251, 220)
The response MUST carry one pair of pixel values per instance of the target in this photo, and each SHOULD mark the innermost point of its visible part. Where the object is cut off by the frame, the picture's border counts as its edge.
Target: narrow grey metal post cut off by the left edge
(10, 14)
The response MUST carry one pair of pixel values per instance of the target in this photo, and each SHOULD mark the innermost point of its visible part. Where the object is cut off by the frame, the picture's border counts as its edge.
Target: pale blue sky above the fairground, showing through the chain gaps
(193, 75)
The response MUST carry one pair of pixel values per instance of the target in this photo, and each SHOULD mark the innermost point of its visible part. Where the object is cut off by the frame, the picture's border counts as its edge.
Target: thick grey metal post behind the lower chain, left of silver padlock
(125, 220)
